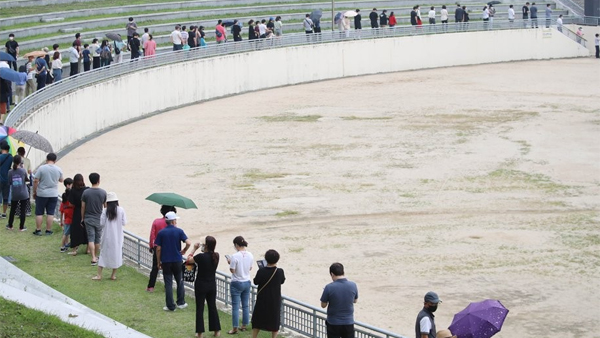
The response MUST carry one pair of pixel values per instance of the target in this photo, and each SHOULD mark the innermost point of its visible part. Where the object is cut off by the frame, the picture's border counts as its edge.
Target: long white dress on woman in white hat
(111, 248)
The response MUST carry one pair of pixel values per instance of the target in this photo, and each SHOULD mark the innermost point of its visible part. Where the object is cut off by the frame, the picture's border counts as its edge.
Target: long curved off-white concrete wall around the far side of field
(88, 110)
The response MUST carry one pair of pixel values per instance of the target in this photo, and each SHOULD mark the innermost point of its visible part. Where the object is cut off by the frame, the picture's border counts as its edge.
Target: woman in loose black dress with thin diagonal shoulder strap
(267, 310)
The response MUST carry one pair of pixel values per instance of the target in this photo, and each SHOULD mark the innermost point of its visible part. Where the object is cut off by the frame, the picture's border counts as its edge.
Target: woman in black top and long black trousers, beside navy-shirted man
(205, 285)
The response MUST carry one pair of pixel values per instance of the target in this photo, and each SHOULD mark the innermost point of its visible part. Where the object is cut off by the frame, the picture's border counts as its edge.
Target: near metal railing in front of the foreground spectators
(295, 315)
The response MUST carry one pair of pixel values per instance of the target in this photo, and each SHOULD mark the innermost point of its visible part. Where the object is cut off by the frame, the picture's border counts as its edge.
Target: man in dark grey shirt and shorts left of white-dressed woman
(93, 201)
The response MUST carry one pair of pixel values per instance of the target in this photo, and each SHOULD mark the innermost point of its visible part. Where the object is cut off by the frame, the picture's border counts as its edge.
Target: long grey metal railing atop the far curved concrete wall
(66, 86)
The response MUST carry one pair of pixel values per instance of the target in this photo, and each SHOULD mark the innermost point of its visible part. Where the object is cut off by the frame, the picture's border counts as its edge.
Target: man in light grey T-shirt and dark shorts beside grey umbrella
(45, 193)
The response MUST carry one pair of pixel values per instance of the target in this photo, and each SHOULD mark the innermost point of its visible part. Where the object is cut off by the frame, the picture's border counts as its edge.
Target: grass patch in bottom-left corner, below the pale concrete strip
(18, 321)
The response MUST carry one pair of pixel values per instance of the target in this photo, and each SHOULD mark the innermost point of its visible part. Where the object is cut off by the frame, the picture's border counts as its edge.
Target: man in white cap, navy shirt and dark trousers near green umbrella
(170, 256)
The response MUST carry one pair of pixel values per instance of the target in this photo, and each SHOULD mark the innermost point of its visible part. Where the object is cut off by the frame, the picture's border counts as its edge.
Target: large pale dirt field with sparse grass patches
(475, 182)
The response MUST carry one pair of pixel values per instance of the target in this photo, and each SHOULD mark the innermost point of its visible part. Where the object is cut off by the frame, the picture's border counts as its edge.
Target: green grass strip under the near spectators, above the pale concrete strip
(124, 300)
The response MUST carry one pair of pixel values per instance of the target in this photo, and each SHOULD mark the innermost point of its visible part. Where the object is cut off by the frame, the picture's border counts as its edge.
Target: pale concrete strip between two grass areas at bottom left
(18, 286)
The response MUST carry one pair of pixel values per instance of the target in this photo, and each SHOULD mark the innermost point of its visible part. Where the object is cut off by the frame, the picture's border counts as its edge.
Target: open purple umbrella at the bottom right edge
(479, 320)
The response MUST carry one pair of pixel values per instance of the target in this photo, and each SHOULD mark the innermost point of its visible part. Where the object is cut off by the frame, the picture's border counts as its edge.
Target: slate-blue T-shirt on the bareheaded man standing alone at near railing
(340, 295)
